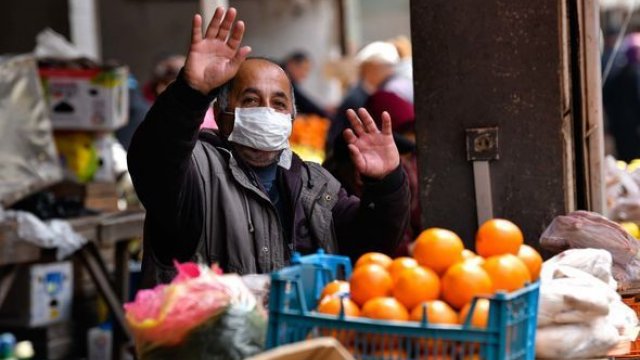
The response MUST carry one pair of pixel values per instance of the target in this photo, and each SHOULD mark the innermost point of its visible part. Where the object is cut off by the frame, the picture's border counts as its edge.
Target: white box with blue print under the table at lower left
(41, 295)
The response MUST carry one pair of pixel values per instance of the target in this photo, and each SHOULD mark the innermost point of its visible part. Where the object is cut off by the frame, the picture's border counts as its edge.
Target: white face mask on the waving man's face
(261, 128)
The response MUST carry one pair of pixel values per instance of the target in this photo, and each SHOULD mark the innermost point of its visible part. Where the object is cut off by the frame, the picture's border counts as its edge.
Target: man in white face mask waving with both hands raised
(239, 197)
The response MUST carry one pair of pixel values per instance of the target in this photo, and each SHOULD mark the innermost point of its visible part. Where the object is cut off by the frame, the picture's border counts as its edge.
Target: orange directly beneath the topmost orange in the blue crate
(507, 272)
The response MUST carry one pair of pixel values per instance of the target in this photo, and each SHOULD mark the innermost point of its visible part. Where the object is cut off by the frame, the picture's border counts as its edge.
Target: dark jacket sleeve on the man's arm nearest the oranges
(378, 220)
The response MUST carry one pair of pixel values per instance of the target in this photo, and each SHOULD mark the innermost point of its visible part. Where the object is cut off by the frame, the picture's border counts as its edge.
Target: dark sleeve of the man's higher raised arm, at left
(163, 173)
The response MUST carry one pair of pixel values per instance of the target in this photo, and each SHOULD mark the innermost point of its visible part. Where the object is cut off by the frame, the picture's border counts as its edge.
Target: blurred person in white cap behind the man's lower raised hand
(376, 64)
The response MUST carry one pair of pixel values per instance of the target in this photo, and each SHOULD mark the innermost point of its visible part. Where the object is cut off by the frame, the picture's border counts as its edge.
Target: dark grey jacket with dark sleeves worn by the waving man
(204, 204)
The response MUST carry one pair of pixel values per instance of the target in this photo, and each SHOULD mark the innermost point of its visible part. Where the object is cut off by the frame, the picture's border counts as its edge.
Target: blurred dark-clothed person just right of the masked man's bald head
(298, 65)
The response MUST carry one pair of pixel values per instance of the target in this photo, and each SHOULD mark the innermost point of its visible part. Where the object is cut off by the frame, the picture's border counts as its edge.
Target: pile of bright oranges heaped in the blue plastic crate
(440, 280)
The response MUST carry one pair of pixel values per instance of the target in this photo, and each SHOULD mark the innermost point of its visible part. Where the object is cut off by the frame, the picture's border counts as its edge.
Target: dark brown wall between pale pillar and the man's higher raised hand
(138, 33)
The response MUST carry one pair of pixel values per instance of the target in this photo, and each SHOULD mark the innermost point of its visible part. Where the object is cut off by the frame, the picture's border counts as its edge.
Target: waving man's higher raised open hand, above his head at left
(215, 58)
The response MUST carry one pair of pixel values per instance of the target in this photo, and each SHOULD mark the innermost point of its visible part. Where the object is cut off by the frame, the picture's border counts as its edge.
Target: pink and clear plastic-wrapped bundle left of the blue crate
(201, 314)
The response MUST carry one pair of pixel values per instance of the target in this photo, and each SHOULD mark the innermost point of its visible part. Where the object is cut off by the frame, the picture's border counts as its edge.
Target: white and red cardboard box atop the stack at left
(87, 99)
